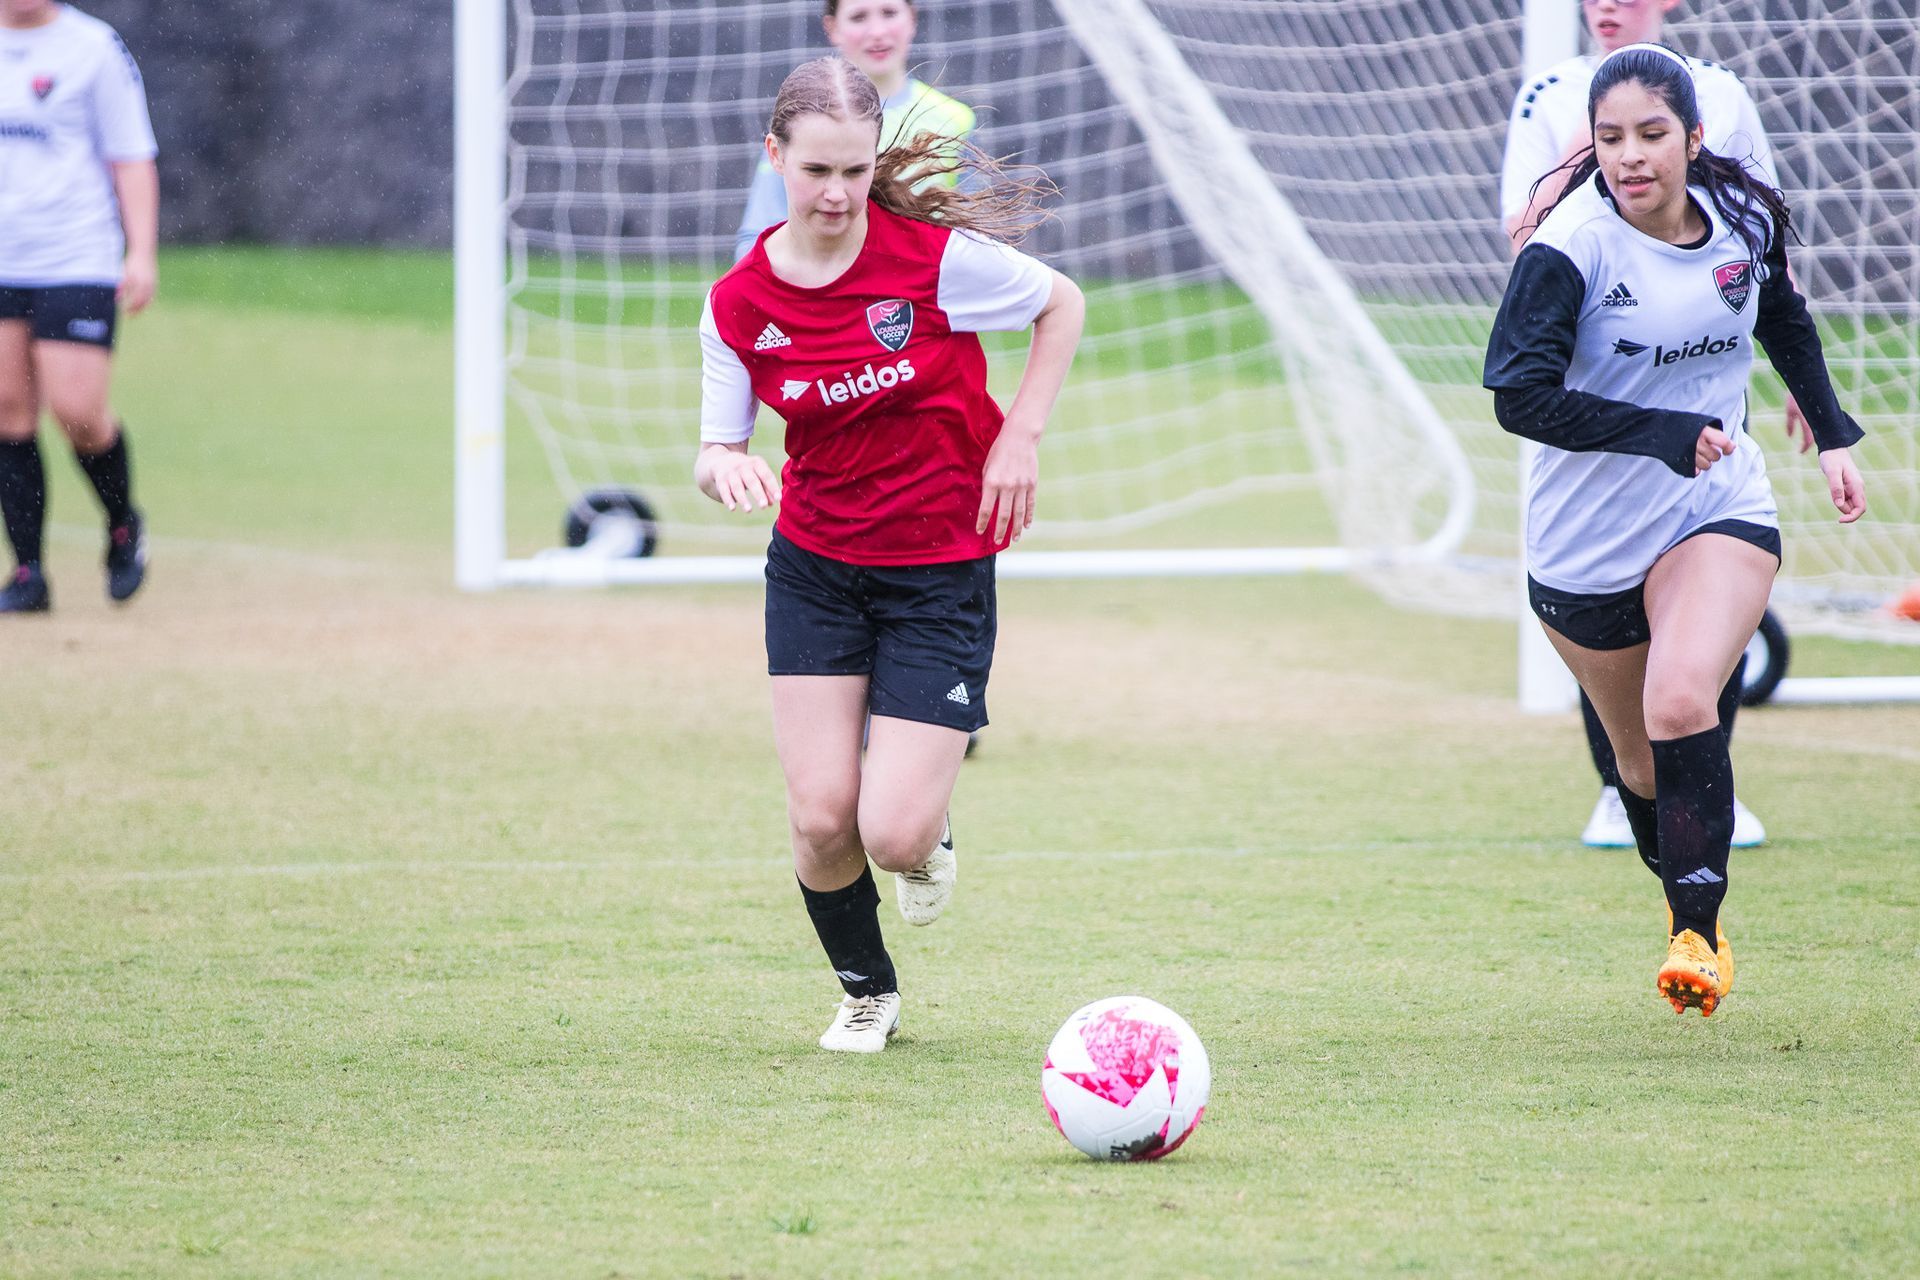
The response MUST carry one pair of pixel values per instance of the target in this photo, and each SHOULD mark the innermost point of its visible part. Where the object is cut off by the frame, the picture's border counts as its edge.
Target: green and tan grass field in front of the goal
(352, 926)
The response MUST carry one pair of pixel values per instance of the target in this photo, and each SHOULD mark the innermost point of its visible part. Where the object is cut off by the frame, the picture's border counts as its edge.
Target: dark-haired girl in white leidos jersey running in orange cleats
(1652, 529)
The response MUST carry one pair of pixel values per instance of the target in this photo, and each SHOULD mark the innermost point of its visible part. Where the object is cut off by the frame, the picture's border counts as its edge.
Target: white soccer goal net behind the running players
(1285, 218)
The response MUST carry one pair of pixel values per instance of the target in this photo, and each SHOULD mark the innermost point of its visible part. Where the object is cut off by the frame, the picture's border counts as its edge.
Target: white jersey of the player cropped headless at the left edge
(72, 103)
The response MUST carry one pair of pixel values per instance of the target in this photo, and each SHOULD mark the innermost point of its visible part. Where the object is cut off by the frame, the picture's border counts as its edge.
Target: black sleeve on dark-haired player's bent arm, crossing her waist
(1527, 360)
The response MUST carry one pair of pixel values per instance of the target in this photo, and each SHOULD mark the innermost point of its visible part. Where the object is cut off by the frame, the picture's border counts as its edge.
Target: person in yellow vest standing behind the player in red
(876, 37)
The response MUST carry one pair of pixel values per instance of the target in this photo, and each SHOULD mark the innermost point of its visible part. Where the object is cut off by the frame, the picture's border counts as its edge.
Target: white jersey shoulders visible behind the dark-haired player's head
(1550, 112)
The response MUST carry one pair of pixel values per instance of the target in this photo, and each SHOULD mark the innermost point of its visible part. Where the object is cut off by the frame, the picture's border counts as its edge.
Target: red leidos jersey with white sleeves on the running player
(882, 383)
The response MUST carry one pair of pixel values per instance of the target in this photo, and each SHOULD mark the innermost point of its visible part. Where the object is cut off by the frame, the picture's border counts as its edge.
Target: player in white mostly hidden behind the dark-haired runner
(1547, 130)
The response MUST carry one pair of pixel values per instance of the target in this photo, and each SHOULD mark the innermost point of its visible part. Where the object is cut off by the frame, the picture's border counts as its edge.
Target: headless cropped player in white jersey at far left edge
(80, 212)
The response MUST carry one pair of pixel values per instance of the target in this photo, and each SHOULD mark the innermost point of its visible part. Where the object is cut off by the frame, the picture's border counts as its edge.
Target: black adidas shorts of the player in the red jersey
(923, 632)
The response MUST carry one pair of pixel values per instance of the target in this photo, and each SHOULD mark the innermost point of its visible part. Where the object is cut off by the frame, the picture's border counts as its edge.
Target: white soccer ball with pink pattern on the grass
(1126, 1079)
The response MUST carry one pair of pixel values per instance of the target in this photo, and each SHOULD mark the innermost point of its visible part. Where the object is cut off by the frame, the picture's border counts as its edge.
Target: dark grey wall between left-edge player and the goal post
(299, 122)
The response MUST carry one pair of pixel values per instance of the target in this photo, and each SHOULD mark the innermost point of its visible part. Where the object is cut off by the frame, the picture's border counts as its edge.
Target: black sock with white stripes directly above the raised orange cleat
(1694, 778)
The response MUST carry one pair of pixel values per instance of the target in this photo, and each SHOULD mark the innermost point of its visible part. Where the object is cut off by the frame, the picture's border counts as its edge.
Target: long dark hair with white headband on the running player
(1744, 202)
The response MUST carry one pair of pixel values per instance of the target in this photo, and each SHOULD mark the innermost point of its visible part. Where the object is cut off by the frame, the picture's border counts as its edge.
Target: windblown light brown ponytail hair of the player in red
(996, 201)
